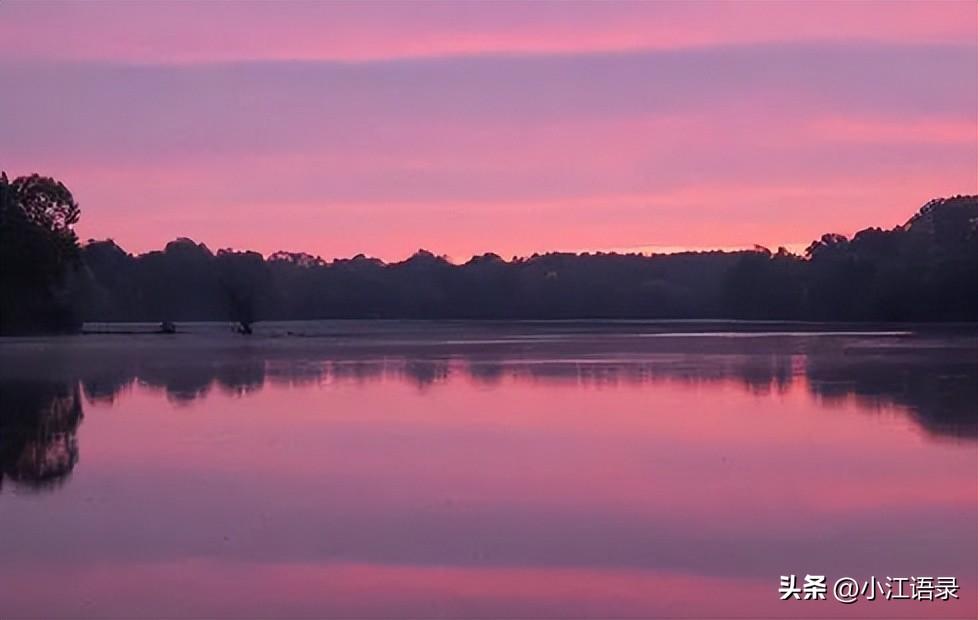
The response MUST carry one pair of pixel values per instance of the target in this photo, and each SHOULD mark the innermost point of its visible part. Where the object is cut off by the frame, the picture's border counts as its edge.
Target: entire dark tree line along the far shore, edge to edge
(923, 270)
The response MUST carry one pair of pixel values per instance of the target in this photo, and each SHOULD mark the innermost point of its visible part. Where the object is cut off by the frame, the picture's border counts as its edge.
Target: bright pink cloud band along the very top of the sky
(182, 33)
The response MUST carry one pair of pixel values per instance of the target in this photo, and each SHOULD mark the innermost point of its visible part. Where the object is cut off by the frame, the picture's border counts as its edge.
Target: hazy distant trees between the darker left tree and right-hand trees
(242, 287)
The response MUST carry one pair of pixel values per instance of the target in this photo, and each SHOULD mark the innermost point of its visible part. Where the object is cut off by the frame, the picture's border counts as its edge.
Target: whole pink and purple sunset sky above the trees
(462, 128)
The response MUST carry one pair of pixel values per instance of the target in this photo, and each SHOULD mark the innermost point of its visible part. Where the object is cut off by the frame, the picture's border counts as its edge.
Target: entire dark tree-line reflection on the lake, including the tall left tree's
(39, 419)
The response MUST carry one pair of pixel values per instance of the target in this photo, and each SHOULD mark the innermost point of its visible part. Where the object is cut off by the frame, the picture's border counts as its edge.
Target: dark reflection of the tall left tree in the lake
(38, 425)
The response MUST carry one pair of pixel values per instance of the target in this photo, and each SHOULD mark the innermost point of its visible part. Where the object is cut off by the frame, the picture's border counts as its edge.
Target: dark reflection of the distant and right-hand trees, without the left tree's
(939, 394)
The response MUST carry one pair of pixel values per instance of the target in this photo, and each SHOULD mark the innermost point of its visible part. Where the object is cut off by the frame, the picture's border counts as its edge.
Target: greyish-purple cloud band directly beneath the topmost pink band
(148, 110)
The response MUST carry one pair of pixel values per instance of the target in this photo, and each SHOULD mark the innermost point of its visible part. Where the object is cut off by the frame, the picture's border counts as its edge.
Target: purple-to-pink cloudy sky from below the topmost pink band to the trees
(513, 153)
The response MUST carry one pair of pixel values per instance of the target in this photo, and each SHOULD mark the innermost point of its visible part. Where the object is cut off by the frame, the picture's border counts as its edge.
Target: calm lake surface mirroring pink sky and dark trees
(481, 471)
